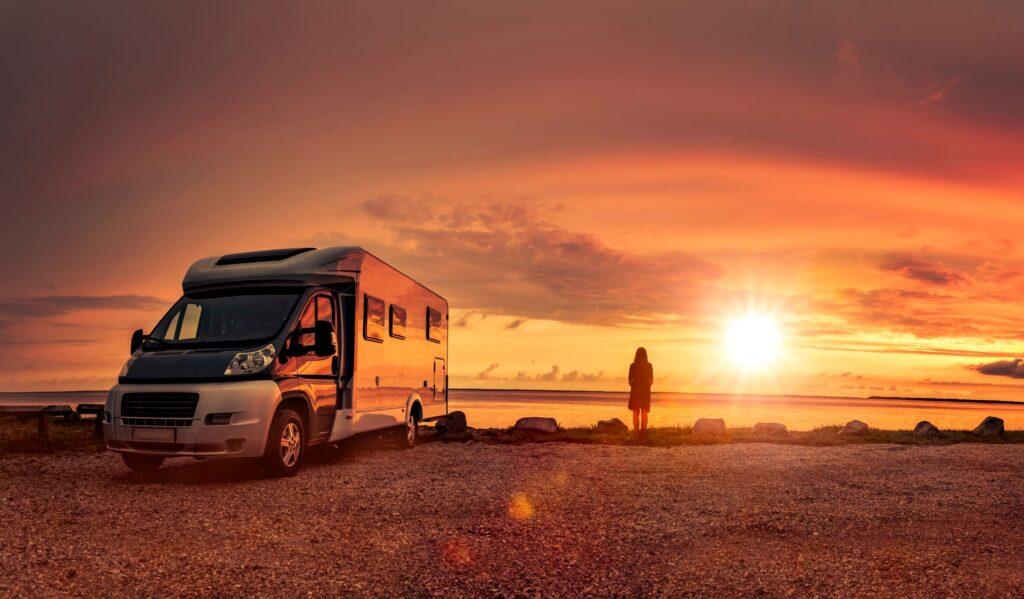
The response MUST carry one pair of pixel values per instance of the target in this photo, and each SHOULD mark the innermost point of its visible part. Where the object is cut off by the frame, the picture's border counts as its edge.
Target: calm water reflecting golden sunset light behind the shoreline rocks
(502, 409)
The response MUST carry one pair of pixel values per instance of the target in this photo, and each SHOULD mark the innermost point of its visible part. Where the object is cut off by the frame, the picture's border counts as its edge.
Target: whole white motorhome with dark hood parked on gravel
(270, 353)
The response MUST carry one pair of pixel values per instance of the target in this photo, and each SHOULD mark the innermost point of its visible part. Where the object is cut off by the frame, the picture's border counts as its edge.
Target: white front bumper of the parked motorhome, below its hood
(251, 404)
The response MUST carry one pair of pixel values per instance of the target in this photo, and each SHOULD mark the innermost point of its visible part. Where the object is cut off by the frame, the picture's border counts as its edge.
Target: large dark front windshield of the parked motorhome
(226, 320)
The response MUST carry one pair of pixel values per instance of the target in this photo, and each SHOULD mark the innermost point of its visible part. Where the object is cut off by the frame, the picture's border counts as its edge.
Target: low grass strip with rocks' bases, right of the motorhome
(673, 437)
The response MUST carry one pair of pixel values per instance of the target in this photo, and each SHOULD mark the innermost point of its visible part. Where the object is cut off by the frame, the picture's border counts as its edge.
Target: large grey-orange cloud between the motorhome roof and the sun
(507, 260)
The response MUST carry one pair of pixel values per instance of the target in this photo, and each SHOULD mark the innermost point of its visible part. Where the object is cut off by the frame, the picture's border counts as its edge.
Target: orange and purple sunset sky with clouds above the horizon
(577, 179)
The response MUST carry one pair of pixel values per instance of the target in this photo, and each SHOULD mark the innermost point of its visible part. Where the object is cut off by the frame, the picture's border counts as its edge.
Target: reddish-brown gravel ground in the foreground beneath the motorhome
(534, 520)
